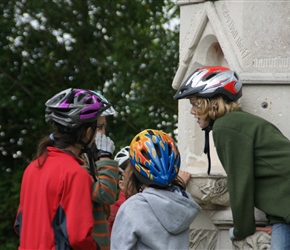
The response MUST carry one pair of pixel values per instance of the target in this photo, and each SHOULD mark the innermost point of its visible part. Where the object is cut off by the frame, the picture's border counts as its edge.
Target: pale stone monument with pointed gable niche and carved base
(252, 38)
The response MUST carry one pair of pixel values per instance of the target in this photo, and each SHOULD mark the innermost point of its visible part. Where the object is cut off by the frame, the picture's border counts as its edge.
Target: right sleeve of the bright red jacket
(77, 206)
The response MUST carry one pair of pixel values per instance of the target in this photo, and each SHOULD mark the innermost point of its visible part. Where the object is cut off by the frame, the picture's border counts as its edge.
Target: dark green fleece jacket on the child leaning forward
(256, 158)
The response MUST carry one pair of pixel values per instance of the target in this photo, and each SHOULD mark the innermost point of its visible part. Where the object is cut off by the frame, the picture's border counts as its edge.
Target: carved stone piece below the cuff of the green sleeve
(259, 241)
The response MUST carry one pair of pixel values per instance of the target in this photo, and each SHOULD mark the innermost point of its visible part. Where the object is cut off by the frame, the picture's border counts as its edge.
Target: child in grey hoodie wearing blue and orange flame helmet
(158, 211)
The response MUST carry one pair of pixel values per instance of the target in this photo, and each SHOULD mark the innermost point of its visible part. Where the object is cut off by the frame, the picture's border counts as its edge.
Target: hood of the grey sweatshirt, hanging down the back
(174, 211)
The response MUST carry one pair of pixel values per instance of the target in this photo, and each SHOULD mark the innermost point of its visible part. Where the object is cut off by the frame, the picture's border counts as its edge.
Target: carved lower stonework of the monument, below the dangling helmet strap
(210, 229)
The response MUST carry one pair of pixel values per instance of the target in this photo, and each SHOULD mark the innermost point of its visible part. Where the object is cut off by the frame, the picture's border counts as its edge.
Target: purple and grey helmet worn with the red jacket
(73, 107)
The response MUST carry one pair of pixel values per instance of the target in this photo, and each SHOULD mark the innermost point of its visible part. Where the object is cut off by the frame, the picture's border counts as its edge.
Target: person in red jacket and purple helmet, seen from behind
(55, 210)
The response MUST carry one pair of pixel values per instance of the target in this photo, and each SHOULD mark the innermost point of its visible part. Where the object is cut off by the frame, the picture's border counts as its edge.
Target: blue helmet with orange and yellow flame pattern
(155, 158)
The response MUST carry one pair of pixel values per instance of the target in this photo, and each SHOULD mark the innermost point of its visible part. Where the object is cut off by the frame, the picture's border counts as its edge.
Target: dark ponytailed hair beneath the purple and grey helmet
(62, 138)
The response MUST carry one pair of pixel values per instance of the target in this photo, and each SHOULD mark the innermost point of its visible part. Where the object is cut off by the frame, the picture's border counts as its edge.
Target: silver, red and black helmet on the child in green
(211, 81)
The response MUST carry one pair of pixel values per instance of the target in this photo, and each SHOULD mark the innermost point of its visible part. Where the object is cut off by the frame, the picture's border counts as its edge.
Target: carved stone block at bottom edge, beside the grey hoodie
(203, 239)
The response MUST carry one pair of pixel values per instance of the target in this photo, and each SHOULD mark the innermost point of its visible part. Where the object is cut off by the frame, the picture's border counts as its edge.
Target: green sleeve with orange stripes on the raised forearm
(105, 188)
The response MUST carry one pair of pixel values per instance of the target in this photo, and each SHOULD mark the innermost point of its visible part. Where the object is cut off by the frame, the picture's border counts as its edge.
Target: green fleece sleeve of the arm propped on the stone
(235, 151)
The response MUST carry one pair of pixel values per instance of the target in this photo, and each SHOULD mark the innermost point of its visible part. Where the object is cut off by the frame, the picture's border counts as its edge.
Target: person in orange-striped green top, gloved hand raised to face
(104, 189)
